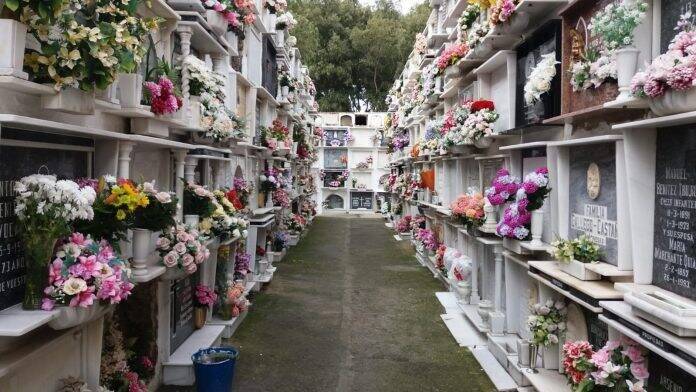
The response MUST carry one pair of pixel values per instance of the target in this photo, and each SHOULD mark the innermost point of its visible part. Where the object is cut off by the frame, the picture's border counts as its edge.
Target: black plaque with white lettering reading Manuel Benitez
(674, 256)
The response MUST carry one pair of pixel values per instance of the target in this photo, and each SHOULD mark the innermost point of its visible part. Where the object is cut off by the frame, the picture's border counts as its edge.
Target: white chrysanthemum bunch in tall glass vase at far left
(45, 208)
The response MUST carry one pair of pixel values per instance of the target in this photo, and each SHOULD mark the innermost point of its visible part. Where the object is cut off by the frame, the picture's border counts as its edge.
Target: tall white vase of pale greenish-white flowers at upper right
(613, 26)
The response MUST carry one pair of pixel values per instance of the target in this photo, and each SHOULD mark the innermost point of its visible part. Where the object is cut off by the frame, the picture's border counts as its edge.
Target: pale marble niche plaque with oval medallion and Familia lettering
(593, 208)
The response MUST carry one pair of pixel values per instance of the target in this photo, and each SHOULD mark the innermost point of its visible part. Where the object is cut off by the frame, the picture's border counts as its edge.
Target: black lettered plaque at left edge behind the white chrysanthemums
(15, 163)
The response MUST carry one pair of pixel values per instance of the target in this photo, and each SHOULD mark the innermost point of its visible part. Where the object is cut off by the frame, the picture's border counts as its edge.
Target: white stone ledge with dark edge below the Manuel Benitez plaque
(618, 315)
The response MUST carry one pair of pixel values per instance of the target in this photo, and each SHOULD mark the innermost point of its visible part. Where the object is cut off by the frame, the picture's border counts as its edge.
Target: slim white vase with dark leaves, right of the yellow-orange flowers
(156, 216)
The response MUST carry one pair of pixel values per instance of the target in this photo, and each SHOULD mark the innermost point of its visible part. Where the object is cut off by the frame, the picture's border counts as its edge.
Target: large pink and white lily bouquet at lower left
(84, 271)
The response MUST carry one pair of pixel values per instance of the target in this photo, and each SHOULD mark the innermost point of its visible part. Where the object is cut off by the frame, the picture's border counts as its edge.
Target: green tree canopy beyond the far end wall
(354, 52)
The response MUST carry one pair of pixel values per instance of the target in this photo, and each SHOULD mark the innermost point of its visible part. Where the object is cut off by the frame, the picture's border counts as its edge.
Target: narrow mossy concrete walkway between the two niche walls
(351, 310)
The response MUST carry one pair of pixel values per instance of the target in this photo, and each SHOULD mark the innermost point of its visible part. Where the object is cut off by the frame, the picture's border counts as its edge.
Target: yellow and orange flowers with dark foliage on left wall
(115, 204)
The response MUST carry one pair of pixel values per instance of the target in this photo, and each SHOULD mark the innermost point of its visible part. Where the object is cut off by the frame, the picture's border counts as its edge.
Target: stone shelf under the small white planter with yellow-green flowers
(585, 293)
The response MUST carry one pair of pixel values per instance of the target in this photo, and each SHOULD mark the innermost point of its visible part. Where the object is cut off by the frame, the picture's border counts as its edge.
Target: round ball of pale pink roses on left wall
(183, 248)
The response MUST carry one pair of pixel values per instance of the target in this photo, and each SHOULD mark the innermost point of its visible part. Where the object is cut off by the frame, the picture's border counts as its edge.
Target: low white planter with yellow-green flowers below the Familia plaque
(574, 255)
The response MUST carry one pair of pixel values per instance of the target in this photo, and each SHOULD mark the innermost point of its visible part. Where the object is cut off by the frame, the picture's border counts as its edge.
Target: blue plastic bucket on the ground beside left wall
(214, 368)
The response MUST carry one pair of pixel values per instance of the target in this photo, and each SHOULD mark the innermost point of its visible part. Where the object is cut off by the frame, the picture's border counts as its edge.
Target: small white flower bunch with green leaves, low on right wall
(547, 322)
